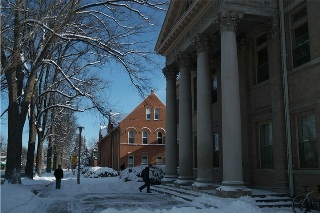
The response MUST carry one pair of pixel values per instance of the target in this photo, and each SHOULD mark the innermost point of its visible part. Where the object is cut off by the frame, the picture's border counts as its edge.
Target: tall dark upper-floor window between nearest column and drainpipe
(262, 58)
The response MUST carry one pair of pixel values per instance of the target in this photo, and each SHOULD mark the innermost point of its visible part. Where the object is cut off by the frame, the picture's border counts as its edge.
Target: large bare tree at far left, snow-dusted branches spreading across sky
(111, 30)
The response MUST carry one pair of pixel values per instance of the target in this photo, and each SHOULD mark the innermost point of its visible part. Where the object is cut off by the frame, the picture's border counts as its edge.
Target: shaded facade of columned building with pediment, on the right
(243, 93)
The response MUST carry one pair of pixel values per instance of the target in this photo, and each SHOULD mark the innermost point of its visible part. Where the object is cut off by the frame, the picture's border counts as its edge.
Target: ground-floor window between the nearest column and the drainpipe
(266, 145)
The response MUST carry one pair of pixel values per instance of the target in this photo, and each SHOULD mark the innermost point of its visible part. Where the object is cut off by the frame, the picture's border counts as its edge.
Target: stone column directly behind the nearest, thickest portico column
(204, 114)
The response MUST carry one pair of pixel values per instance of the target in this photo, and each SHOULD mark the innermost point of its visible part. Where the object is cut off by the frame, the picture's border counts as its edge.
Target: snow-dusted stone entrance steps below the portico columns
(262, 198)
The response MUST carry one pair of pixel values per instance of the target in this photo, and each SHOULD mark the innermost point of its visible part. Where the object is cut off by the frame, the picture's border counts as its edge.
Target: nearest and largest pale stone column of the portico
(231, 116)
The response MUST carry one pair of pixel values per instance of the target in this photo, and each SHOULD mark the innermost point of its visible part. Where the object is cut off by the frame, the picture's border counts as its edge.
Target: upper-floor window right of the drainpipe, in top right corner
(300, 38)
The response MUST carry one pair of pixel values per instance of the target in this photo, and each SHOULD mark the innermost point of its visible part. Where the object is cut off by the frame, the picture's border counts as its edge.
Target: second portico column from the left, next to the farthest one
(185, 122)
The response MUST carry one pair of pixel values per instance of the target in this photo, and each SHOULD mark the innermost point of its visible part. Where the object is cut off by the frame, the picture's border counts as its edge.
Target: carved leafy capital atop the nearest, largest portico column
(228, 20)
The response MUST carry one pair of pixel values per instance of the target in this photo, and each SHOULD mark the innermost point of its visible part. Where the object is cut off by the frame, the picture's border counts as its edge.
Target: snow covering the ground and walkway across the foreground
(111, 195)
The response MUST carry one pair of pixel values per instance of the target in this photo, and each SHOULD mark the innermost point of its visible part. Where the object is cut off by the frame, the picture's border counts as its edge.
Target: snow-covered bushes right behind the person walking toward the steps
(133, 174)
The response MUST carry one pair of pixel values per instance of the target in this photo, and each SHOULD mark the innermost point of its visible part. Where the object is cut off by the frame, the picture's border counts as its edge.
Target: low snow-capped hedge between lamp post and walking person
(98, 172)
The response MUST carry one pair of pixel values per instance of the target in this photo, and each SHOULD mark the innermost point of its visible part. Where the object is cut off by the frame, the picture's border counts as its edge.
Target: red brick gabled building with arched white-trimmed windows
(137, 138)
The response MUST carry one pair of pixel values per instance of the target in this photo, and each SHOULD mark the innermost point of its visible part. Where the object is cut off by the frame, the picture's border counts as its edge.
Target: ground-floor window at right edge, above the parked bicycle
(308, 155)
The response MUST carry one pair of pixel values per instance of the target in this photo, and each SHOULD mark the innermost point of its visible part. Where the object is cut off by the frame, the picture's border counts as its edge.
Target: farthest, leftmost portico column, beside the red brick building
(171, 126)
